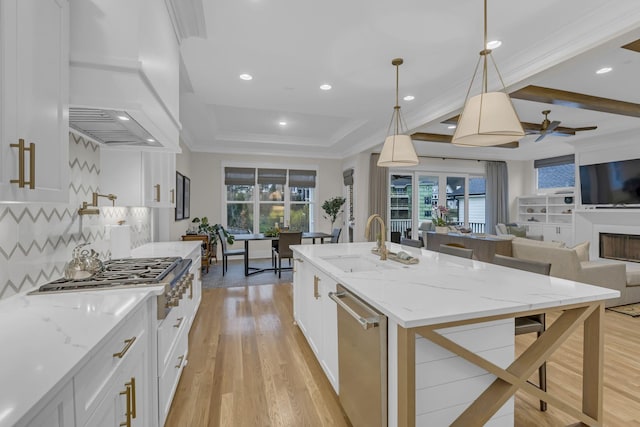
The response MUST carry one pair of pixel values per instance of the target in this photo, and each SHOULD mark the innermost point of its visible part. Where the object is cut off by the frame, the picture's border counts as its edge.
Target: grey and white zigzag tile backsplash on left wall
(36, 240)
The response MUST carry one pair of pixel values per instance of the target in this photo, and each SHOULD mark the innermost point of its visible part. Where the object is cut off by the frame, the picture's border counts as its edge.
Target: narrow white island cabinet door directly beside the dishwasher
(329, 332)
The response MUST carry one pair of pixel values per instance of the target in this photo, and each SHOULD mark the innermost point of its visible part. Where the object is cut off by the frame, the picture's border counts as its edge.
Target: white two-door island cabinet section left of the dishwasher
(316, 315)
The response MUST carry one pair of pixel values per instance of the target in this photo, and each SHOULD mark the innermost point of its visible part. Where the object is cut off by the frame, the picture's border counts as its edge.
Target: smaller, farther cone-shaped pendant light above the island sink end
(398, 148)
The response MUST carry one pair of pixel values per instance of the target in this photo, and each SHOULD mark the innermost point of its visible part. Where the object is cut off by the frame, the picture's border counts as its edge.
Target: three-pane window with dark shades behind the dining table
(258, 199)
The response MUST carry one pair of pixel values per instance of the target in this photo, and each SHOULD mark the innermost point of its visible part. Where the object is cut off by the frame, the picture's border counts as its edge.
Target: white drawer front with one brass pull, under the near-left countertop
(94, 379)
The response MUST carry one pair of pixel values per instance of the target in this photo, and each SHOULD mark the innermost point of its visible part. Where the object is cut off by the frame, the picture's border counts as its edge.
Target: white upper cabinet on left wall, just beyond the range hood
(138, 178)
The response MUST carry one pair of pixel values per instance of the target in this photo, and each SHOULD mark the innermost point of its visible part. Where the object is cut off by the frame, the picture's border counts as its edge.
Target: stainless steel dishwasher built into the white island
(362, 360)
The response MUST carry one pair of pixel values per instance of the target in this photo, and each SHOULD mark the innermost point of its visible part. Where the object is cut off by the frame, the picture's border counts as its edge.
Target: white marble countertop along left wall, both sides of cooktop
(47, 338)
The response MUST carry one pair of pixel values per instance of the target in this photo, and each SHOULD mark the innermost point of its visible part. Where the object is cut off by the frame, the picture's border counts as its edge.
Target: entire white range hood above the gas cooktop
(124, 63)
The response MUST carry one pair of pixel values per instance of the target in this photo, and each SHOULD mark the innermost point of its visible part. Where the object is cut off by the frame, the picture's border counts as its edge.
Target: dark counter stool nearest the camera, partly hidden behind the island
(534, 323)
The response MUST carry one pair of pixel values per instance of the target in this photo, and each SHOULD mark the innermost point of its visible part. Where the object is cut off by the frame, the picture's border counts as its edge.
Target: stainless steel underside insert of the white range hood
(110, 127)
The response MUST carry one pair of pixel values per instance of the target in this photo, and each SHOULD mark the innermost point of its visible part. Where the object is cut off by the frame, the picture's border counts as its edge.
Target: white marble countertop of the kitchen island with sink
(443, 288)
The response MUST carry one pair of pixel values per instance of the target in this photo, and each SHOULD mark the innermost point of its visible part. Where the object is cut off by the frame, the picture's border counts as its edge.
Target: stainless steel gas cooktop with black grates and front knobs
(172, 272)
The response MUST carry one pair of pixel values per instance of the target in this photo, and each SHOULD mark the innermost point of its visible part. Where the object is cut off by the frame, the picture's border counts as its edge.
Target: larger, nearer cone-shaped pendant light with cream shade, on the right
(488, 118)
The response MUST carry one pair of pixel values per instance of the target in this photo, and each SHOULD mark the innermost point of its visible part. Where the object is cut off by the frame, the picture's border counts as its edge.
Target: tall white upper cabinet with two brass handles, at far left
(34, 100)
